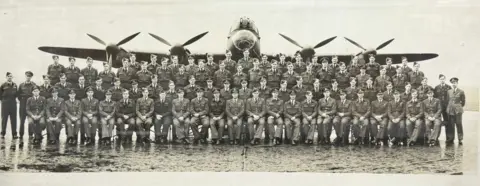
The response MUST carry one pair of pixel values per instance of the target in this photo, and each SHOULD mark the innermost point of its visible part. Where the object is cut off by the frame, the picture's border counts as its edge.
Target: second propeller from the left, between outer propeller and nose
(179, 49)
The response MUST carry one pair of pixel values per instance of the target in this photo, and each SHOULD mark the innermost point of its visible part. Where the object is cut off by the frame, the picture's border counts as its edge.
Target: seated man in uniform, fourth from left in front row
(90, 119)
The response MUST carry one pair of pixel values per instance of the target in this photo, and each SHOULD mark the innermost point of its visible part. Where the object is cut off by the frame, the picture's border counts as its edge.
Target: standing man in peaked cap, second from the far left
(25, 90)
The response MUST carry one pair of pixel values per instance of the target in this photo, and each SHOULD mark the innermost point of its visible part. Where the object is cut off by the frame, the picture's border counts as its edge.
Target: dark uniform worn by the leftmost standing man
(8, 95)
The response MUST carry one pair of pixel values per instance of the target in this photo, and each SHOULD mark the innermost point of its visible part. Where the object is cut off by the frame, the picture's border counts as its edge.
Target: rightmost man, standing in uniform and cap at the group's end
(456, 102)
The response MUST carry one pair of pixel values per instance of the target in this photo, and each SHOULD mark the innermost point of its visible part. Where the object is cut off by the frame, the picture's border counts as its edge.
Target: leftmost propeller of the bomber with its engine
(113, 50)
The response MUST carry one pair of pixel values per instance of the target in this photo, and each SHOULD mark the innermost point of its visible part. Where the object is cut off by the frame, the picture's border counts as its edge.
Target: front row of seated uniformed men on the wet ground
(375, 122)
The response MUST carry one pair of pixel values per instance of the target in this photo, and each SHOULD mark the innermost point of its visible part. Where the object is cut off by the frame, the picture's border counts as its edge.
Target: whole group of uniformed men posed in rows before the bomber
(376, 105)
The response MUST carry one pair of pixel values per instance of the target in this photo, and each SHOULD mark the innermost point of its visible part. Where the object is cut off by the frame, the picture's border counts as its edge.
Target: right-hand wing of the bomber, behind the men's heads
(381, 58)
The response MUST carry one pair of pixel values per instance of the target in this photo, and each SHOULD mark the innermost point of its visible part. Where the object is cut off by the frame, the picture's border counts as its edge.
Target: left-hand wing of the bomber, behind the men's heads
(95, 54)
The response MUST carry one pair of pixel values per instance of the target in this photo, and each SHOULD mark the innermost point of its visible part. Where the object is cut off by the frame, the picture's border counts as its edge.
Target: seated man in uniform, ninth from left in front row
(180, 112)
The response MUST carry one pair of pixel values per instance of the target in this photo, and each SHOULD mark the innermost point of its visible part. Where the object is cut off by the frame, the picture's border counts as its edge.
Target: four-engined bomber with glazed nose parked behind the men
(243, 35)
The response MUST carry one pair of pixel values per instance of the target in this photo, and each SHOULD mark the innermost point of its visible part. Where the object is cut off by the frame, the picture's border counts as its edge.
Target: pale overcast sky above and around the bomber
(447, 27)
